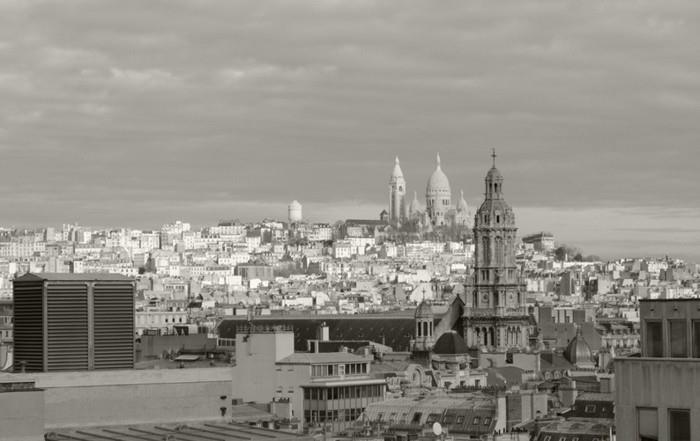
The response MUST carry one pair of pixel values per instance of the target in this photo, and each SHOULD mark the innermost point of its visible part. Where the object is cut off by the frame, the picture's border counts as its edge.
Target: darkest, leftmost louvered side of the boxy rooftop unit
(28, 329)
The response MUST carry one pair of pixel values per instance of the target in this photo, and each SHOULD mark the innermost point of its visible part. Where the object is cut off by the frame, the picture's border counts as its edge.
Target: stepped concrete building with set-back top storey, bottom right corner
(657, 395)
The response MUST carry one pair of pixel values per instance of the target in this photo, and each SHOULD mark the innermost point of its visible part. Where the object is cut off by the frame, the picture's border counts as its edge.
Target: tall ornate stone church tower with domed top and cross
(495, 315)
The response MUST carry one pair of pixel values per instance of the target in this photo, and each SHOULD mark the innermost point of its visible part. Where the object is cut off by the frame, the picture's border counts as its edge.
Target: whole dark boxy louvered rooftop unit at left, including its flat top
(73, 322)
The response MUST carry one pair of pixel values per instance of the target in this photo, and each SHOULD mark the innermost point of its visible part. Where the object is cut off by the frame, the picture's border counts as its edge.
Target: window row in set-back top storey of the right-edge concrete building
(676, 331)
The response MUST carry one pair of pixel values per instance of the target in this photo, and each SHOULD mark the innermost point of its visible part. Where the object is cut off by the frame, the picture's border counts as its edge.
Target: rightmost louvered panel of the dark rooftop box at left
(114, 325)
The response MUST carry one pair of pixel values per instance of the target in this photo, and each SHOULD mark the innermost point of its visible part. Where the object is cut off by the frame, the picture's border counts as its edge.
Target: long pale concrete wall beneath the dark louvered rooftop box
(132, 396)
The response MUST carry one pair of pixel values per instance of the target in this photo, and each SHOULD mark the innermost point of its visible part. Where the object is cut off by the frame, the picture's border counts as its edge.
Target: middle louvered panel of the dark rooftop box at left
(67, 323)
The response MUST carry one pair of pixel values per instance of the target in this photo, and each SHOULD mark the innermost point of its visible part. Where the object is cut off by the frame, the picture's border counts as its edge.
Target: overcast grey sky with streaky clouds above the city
(125, 113)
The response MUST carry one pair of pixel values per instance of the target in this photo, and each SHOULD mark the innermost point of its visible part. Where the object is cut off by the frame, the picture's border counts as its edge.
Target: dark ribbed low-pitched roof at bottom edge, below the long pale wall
(199, 431)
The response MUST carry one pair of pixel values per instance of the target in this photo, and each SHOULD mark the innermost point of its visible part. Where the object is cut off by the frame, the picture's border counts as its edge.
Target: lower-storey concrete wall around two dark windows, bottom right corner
(658, 383)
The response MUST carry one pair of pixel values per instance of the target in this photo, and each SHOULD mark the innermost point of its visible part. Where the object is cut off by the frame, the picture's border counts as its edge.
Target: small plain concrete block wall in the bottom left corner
(22, 415)
